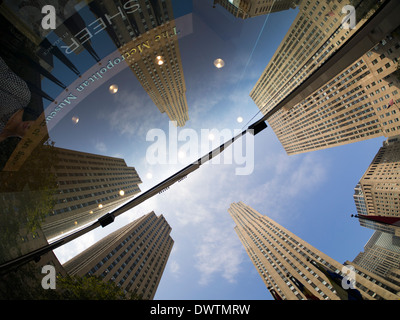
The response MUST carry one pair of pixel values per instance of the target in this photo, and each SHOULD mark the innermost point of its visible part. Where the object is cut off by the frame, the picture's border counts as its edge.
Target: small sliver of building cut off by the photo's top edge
(252, 8)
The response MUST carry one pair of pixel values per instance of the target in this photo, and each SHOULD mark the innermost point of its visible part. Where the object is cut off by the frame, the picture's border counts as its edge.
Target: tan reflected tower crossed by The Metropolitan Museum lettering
(145, 33)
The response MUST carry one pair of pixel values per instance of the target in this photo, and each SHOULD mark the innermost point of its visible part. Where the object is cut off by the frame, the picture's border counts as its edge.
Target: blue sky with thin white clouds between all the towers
(309, 194)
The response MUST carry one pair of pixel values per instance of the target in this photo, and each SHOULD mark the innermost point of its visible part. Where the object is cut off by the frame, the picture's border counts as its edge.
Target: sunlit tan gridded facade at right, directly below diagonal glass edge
(359, 103)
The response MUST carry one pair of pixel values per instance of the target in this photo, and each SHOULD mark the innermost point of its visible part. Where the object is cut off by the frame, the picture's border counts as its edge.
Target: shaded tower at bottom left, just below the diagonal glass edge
(134, 257)
